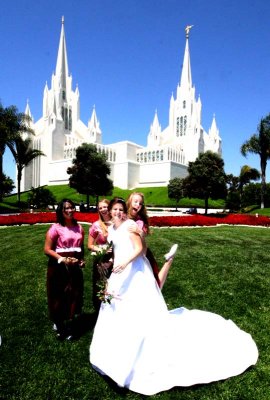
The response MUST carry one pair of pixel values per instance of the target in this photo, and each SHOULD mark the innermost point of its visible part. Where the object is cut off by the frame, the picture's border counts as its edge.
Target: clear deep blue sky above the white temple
(126, 57)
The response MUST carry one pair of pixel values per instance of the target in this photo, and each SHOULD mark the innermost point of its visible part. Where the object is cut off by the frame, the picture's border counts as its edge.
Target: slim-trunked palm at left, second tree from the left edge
(23, 155)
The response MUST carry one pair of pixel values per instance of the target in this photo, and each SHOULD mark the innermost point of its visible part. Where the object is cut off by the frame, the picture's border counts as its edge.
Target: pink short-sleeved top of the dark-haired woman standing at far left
(66, 238)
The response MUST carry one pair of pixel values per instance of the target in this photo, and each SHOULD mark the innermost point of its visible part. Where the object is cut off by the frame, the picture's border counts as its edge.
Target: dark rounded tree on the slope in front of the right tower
(206, 178)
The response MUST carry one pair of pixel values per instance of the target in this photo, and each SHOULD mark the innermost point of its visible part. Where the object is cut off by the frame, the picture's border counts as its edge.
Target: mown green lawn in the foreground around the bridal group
(221, 269)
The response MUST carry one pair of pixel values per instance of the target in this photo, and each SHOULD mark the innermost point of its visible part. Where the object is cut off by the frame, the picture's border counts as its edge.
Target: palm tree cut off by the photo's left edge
(12, 125)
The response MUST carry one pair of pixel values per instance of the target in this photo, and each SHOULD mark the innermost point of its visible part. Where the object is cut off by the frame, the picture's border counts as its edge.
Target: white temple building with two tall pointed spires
(60, 131)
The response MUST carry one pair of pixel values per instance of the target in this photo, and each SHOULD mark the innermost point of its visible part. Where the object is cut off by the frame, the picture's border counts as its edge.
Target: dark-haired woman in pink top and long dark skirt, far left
(64, 245)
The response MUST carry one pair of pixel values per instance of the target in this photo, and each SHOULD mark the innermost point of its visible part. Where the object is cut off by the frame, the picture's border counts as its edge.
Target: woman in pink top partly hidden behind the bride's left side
(97, 240)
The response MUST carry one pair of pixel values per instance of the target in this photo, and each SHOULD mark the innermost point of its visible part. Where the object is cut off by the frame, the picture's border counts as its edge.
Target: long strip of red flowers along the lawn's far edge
(192, 220)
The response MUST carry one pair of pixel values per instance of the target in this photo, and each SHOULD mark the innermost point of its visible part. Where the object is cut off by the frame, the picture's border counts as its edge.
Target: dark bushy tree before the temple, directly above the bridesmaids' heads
(89, 173)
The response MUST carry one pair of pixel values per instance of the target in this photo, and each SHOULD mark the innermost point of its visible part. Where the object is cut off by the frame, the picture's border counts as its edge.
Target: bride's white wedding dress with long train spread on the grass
(141, 345)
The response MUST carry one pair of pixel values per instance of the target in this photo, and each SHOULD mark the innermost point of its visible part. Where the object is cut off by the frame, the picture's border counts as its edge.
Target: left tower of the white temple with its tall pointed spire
(58, 126)
